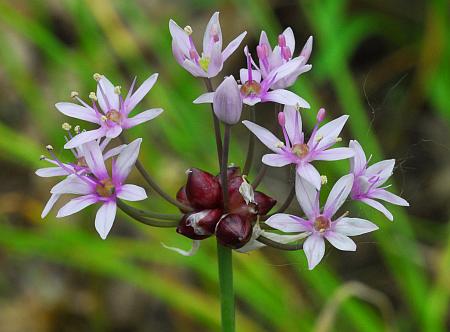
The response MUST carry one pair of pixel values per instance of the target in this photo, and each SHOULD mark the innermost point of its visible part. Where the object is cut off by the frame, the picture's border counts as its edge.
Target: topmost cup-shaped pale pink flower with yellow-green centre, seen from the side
(210, 63)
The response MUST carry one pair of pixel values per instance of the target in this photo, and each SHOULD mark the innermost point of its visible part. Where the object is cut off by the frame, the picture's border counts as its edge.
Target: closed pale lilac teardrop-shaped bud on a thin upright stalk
(227, 102)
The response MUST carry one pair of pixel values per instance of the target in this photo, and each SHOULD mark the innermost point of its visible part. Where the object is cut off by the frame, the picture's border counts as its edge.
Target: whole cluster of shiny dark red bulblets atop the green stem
(203, 193)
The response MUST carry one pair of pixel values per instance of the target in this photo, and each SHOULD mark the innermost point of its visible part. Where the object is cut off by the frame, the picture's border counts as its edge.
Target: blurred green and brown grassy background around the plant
(386, 63)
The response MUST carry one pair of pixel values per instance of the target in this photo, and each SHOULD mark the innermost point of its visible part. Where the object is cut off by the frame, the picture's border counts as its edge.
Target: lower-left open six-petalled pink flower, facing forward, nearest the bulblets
(96, 185)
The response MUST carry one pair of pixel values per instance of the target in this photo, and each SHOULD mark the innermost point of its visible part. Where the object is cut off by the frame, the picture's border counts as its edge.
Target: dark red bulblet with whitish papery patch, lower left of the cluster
(199, 225)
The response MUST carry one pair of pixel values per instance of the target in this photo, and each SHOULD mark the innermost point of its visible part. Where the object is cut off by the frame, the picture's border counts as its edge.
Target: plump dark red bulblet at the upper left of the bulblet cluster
(203, 190)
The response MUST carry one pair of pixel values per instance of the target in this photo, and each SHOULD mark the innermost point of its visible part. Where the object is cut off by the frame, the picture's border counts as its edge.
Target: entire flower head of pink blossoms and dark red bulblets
(233, 215)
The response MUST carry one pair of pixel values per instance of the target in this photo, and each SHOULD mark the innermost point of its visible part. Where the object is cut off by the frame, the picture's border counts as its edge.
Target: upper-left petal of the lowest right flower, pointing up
(307, 197)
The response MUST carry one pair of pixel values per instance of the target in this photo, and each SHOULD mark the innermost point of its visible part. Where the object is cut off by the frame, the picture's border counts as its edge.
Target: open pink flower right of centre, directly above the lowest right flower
(295, 149)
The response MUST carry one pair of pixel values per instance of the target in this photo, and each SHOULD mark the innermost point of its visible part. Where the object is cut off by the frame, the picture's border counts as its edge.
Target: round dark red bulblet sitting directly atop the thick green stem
(234, 231)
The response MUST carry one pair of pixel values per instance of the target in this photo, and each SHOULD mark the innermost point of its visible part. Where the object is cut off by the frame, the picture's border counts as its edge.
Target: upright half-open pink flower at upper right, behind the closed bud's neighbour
(270, 60)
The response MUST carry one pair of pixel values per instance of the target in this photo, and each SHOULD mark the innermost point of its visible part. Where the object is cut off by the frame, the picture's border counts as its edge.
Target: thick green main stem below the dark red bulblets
(225, 262)
